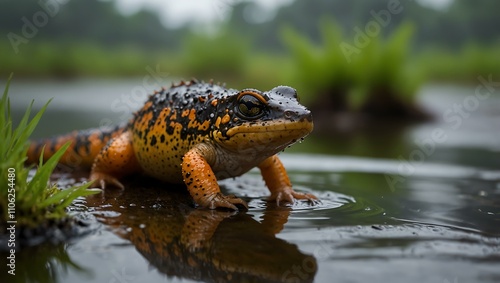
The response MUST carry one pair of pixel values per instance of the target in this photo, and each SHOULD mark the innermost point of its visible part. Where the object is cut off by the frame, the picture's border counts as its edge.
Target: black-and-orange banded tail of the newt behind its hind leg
(84, 148)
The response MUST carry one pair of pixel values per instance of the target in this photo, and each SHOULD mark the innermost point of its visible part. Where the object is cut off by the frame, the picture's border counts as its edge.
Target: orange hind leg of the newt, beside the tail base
(115, 160)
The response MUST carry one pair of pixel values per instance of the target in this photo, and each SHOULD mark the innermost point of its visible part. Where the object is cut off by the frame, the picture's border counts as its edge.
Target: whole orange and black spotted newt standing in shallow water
(195, 133)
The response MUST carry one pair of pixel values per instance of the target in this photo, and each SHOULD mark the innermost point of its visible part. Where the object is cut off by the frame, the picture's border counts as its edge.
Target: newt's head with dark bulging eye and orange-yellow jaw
(267, 121)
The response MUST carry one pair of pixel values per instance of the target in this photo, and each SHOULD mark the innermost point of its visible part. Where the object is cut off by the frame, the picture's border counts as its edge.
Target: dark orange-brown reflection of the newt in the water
(207, 245)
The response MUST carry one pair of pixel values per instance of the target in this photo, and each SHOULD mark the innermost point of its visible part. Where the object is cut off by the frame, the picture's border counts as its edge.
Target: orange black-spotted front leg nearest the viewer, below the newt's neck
(202, 183)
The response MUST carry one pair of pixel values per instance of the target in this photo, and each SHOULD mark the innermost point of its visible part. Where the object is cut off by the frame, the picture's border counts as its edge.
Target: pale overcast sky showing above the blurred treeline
(175, 13)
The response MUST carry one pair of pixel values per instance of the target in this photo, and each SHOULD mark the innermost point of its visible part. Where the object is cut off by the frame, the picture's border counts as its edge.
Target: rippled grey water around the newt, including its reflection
(417, 203)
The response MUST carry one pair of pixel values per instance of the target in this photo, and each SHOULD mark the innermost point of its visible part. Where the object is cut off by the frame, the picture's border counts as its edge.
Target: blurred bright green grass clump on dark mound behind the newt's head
(379, 79)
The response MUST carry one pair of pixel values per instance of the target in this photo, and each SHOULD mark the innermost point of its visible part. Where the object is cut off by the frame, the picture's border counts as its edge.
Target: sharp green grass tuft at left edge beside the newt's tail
(36, 200)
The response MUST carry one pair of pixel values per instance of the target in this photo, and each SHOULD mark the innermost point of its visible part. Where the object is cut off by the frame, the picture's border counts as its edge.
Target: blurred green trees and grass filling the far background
(418, 43)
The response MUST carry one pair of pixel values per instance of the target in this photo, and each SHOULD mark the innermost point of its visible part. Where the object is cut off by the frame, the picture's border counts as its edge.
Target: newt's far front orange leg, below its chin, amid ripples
(279, 184)
